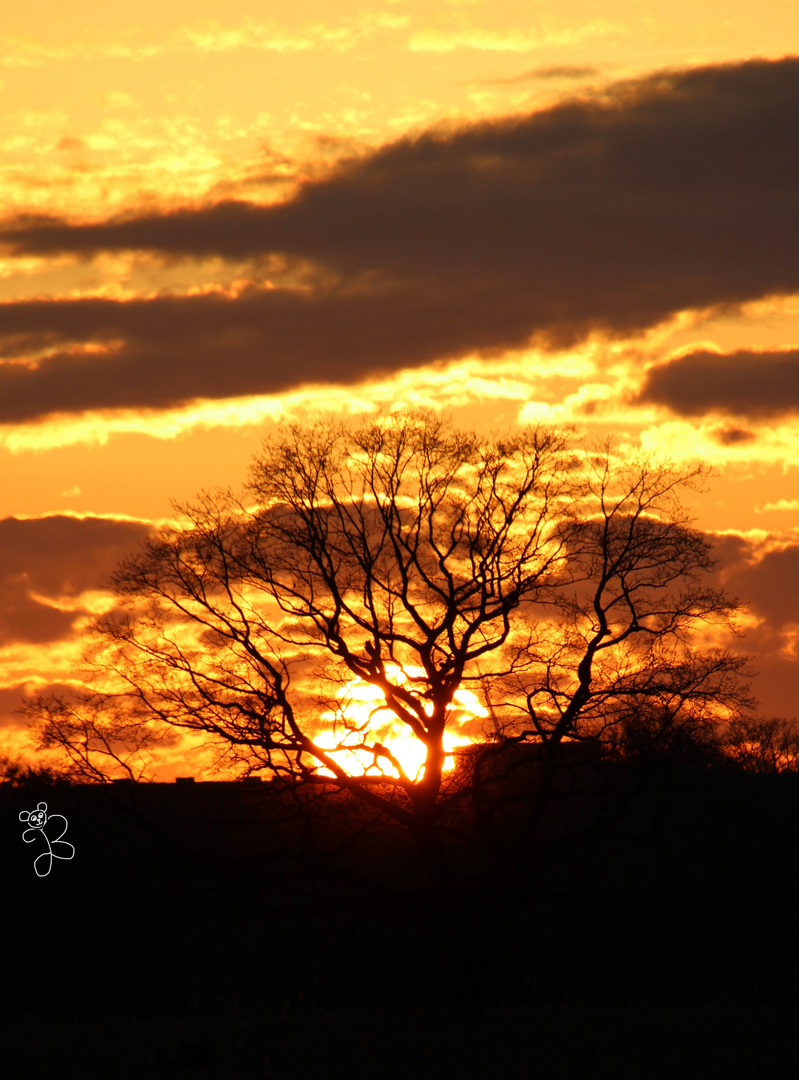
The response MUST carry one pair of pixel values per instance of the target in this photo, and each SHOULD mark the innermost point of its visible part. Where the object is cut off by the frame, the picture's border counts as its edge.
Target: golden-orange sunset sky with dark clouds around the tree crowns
(215, 217)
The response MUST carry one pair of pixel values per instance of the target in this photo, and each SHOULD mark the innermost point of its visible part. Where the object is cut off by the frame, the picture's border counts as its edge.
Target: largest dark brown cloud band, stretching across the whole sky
(605, 214)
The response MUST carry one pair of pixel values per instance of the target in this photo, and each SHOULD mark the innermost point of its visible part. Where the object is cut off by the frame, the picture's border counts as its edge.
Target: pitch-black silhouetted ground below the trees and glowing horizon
(209, 939)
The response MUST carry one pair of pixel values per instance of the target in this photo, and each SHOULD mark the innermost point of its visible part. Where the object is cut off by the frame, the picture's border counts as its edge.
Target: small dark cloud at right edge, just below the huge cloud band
(746, 384)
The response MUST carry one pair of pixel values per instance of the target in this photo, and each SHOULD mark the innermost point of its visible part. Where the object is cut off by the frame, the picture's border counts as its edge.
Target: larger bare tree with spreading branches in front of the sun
(395, 555)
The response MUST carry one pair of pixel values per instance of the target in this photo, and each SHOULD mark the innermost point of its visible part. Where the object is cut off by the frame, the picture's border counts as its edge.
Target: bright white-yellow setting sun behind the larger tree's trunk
(362, 720)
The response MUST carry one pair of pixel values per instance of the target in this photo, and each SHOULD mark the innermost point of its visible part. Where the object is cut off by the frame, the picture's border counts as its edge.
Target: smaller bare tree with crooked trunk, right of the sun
(630, 652)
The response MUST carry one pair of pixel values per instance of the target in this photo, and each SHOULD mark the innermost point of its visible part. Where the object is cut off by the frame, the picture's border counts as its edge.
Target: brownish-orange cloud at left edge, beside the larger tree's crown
(56, 560)
